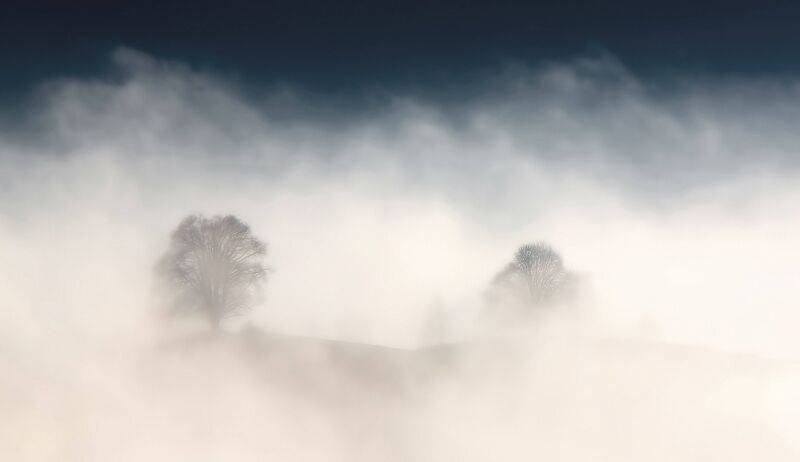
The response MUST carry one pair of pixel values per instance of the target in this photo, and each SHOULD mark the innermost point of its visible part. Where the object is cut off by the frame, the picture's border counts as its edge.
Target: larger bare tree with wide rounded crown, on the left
(213, 267)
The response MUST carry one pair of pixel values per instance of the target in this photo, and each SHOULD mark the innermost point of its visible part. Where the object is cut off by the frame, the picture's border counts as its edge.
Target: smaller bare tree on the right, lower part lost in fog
(535, 277)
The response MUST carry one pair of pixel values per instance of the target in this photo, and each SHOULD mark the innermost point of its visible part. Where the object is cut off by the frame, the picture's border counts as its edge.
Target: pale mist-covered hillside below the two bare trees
(252, 396)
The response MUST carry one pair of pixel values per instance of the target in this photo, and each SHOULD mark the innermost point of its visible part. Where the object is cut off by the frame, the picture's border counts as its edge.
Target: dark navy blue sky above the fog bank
(343, 45)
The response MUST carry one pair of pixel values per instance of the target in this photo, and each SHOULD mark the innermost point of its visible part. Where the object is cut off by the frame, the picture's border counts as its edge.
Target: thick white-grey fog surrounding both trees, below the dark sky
(675, 199)
